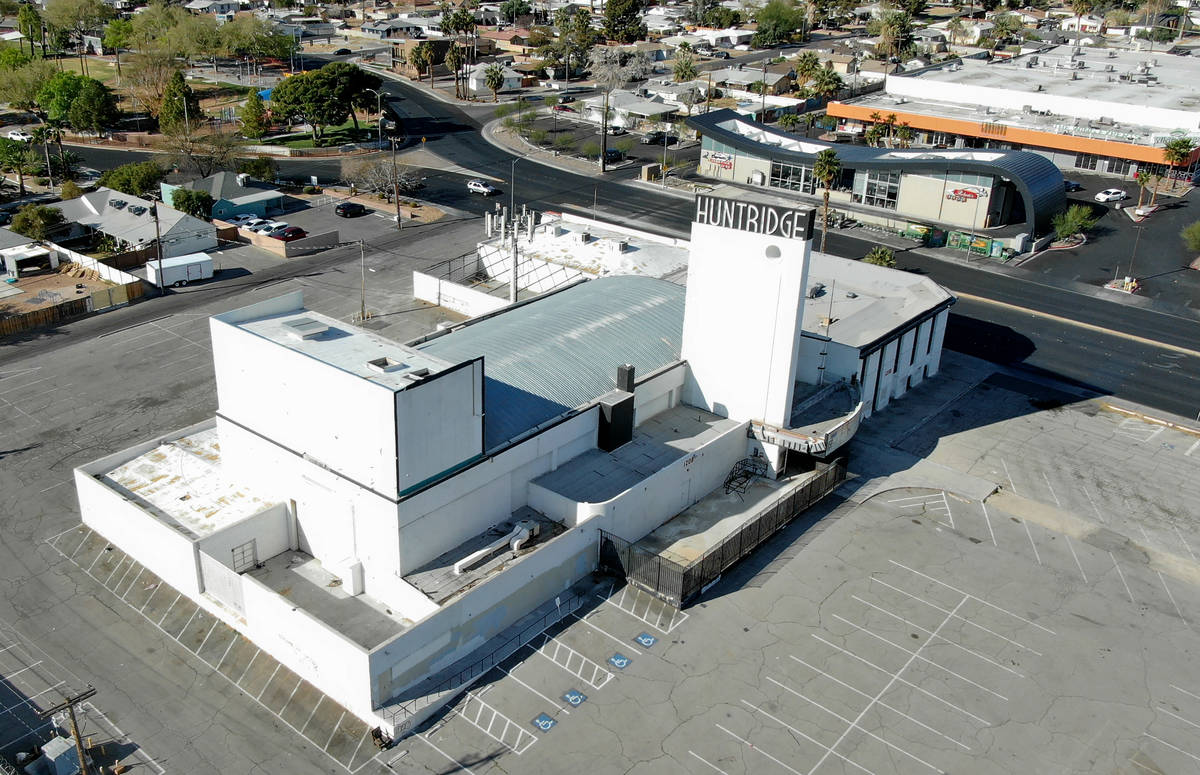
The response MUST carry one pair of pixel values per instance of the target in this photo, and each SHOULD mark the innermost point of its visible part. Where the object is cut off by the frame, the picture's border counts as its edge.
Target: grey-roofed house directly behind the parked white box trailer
(131, 223)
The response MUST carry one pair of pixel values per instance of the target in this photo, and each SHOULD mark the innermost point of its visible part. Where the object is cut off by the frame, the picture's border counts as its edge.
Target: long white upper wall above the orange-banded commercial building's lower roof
(1017, 99)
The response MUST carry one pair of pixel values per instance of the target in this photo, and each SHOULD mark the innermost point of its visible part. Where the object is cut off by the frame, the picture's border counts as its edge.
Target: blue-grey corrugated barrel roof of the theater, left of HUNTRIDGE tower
(562, 351)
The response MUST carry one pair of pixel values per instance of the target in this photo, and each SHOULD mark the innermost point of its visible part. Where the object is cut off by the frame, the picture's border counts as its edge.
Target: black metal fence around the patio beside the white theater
(677, 584)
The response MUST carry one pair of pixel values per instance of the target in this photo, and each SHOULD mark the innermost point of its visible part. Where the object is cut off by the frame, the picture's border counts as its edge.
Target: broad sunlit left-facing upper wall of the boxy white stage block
(343, 420)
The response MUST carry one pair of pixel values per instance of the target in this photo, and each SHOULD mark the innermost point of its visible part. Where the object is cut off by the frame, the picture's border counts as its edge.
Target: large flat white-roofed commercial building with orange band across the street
(1101, 110)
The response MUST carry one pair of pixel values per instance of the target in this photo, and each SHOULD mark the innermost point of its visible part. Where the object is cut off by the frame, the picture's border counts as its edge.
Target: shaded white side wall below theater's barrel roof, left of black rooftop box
(442, 518)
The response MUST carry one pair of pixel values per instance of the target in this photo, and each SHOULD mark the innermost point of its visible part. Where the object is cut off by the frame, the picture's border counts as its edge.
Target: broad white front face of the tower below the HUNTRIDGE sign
(742, 322)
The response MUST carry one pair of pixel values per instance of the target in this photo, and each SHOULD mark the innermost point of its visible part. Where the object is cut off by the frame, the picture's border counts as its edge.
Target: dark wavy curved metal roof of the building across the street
(1039, 181)
